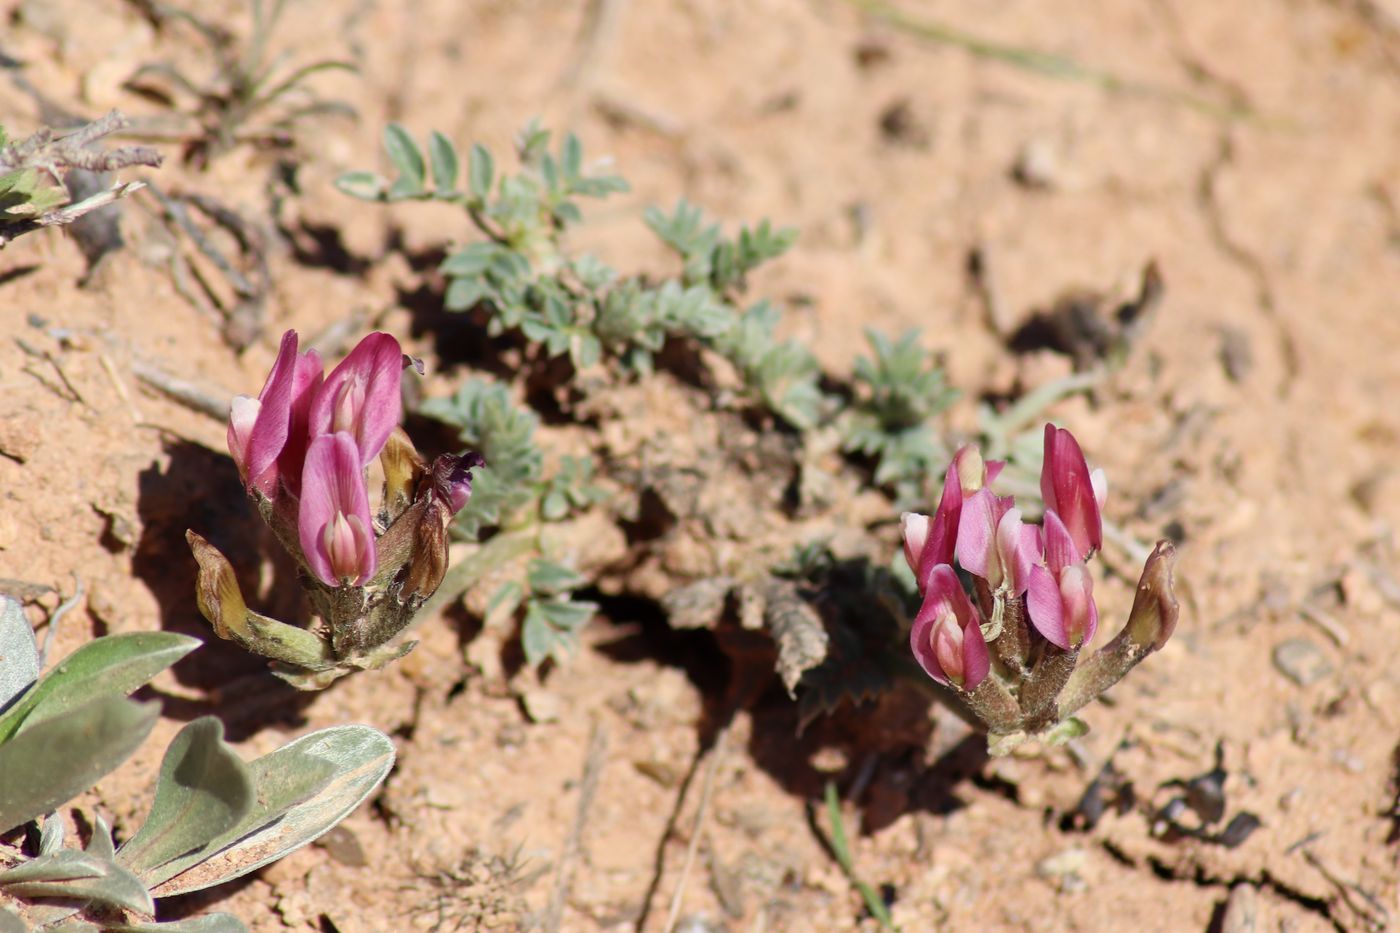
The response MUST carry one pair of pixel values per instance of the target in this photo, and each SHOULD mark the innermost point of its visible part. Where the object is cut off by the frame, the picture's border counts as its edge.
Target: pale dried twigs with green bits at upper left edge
(33, 172)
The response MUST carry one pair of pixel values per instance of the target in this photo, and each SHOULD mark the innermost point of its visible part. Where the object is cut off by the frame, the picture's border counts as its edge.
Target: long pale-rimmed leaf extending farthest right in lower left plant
(360, 759)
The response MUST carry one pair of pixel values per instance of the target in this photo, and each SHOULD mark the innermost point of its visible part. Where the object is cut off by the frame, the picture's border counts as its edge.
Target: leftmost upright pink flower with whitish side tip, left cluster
(261, 431)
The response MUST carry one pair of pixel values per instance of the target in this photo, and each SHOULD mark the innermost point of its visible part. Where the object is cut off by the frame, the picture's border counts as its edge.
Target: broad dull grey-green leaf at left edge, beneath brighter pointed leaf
(59, 759)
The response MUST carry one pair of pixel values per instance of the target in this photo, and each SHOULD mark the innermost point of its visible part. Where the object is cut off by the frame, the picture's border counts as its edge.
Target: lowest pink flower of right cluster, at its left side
(946, 638)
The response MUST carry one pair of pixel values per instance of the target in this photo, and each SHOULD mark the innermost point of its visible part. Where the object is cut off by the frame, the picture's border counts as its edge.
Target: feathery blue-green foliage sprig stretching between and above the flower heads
(576, 306)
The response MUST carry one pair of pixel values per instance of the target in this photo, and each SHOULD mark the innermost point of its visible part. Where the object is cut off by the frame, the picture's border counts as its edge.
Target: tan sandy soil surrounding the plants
(1256, 422)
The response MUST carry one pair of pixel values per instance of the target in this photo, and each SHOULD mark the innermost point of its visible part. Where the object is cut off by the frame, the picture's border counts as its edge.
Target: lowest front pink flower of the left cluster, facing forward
(334, 519)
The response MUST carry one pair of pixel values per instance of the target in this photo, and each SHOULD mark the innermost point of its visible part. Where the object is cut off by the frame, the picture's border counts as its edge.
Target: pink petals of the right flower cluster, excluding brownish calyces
(1017, 568)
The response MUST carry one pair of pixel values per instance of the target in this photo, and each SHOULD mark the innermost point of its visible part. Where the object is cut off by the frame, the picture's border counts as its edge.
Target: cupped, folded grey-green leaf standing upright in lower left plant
(204, 791)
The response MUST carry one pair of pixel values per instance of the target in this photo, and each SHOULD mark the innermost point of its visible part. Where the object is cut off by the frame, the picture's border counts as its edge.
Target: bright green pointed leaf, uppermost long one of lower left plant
(110, 666)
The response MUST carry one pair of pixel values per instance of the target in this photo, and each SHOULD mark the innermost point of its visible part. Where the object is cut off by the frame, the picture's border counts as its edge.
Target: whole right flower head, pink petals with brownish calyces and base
(1009, 607)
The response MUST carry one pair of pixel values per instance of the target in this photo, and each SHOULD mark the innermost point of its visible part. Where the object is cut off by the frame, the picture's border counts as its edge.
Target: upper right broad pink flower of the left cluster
(362, 396)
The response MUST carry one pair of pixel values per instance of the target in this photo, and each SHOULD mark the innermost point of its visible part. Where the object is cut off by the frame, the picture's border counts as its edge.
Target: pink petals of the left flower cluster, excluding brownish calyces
(306, 442)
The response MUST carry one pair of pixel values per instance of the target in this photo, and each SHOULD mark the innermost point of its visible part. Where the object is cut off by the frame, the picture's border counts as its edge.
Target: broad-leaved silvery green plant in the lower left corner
(213, 817)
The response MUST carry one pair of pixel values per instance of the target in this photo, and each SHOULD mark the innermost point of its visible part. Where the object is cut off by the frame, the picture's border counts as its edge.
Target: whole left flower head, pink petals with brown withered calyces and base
(303, 448)
